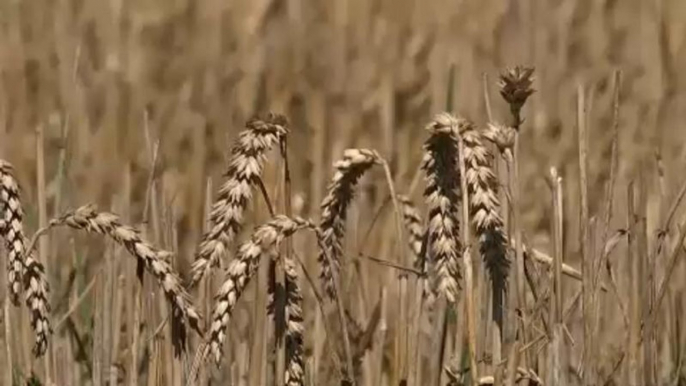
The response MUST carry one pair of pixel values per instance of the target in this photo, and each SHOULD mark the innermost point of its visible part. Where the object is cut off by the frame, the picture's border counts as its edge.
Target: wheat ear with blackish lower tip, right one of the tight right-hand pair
(484, 207)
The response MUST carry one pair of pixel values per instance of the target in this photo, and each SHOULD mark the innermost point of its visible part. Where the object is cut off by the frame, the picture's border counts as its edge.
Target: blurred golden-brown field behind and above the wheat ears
(106, 89)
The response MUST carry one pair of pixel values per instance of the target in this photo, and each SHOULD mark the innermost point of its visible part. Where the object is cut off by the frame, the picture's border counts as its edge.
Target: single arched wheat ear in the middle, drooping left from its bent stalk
(349, 169)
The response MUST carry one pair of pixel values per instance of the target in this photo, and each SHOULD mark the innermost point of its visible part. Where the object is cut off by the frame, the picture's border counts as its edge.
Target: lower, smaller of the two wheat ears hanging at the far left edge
(36, 290)
